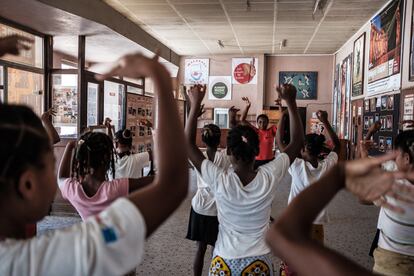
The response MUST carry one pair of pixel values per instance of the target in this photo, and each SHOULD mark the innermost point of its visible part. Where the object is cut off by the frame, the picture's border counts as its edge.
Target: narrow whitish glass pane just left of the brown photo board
(113, 102)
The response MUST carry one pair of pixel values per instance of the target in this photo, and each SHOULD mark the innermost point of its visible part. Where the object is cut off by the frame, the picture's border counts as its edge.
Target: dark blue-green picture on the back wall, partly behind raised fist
(306, 83)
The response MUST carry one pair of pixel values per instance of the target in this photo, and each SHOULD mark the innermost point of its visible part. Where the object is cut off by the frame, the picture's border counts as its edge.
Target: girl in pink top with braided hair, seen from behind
(87, 187)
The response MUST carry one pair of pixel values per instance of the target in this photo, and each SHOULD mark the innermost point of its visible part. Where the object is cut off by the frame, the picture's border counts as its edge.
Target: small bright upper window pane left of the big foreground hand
(65, 52)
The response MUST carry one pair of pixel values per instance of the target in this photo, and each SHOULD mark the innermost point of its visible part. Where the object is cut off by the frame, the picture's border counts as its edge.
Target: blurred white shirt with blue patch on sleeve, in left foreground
(111, 243)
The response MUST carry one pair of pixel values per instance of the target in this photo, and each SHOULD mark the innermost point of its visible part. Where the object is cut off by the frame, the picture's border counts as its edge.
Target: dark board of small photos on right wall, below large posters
(386, 110)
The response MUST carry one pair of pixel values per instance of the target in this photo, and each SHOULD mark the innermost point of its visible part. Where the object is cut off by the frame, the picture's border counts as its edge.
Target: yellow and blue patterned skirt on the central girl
(255, 266)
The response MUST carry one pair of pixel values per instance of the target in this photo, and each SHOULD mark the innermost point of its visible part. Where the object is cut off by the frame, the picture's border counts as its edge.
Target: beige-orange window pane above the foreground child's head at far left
(25, 88)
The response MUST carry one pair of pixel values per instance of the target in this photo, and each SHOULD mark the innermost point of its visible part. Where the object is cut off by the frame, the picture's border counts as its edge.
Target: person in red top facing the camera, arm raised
(266, 135)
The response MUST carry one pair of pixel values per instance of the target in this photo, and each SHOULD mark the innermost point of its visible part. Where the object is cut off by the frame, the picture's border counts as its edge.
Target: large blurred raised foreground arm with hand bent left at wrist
(158, 200)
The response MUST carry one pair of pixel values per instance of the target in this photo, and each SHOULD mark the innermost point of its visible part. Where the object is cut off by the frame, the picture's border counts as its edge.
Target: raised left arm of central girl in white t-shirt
(195, 96)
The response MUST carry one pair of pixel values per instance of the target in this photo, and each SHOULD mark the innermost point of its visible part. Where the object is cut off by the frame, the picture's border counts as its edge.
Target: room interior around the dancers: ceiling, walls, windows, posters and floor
(353, 59)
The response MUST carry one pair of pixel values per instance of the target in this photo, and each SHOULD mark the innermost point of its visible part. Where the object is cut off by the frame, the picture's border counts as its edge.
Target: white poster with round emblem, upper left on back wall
(196, 71)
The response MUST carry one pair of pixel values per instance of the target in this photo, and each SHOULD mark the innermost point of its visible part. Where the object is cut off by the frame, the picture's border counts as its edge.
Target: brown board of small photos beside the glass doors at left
(139, 108)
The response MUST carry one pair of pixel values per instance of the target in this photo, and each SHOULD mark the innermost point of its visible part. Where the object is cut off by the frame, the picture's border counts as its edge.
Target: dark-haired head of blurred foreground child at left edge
(23, 143)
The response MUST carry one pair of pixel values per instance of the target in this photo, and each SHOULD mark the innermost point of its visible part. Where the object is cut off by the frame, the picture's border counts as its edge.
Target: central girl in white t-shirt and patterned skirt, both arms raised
(243, 195)
